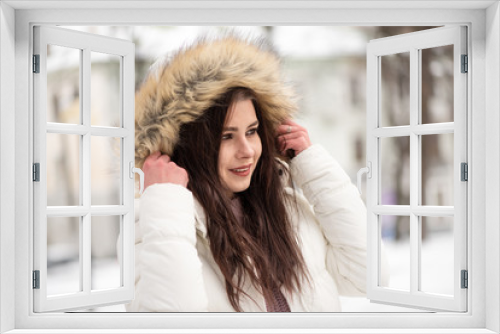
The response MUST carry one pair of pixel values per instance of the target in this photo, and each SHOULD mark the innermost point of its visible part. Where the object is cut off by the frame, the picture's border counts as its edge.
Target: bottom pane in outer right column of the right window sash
(437, 255)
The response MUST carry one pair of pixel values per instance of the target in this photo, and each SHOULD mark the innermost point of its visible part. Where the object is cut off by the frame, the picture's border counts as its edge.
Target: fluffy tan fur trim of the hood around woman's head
(179, 90)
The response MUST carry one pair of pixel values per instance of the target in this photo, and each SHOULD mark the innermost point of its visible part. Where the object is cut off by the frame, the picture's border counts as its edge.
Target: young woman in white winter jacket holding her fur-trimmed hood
(227, 221)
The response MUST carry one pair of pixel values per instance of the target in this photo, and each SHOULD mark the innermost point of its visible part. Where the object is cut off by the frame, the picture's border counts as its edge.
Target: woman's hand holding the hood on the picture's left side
(158, 168)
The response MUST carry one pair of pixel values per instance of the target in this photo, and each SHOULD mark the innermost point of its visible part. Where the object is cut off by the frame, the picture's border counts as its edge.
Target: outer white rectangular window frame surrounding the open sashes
(483, 21)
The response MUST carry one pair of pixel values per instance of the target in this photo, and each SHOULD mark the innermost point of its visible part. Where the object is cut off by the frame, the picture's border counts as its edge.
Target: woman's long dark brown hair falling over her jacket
(262, 245)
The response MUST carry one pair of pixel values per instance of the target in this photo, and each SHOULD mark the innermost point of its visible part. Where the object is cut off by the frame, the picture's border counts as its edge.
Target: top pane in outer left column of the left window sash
(63, 84)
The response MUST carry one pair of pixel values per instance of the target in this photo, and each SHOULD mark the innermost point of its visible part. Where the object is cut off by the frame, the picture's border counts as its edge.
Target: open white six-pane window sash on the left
(86, 43)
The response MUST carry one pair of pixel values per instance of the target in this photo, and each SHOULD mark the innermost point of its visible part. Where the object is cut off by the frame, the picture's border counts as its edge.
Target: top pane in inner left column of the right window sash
(395, 89)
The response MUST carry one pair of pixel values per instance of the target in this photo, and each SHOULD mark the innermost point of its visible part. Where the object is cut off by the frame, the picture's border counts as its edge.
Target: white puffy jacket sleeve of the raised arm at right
(341, 214)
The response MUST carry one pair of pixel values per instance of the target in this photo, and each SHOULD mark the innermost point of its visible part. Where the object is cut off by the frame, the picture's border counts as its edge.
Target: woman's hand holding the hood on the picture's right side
(292, 136)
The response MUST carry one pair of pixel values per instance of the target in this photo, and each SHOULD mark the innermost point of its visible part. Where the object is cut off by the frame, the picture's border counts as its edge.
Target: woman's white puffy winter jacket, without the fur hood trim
(175, 270)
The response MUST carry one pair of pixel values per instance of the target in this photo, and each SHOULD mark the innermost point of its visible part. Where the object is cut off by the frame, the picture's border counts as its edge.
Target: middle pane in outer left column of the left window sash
(63, 169)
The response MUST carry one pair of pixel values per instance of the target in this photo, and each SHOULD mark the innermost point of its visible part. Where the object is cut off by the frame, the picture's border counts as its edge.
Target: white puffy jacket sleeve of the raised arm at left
(168, 269)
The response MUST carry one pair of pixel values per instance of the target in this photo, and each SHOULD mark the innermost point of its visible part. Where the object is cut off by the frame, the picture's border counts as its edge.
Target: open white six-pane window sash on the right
(412, 43)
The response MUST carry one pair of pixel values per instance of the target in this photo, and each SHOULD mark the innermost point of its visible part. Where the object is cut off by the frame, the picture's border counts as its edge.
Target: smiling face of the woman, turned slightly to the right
(240, 147)
